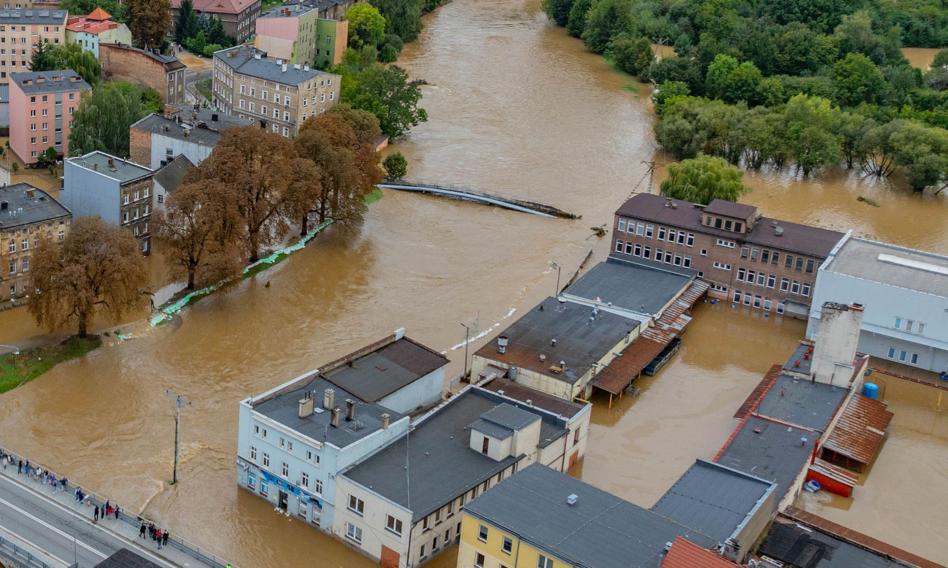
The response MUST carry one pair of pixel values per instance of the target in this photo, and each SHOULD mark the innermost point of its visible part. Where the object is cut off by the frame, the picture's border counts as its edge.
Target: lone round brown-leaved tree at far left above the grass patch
(97, 267)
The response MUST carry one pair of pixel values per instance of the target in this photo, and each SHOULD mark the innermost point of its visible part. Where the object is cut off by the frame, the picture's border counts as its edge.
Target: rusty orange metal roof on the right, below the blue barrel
(860, 430)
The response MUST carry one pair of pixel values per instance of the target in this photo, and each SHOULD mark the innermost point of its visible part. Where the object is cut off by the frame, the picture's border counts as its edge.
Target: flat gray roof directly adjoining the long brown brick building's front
(641, 287)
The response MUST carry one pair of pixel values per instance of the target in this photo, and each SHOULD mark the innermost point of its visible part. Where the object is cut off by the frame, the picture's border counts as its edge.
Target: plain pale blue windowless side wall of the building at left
(88, 193)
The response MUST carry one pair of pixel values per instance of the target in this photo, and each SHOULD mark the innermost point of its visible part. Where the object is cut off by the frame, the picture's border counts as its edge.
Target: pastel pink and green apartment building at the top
(311, 33)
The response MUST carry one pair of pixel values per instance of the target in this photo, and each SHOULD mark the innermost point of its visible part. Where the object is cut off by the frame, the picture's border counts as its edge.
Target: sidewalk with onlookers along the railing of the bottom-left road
(178, 552)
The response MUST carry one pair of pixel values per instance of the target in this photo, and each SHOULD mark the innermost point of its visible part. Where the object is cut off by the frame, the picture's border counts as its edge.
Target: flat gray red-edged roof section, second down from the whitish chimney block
(770, 451)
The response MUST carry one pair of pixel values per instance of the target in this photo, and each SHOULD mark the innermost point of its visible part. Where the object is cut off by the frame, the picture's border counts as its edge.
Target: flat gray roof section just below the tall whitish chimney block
(802, 402)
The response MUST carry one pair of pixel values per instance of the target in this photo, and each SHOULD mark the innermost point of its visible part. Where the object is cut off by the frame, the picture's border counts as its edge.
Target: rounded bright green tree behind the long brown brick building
(703, 179)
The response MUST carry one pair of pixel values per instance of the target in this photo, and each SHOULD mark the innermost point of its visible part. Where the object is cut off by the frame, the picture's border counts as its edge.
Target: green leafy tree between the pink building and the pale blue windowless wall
(103, 118)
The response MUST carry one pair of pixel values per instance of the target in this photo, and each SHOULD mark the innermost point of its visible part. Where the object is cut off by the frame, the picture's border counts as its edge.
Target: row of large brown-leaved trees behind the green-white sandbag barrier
(256, 186)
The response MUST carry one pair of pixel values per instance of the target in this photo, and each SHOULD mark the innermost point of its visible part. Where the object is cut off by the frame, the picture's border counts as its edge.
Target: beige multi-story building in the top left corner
(21, 31)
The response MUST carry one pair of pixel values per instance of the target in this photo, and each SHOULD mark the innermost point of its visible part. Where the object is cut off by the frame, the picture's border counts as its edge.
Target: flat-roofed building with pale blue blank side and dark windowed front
(117, 190)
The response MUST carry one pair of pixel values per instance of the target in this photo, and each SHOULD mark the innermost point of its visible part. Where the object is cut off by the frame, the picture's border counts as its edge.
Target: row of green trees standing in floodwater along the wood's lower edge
(807, 132)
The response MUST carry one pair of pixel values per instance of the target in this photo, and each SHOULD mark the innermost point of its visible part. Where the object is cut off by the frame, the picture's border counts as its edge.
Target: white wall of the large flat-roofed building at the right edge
(883, 304)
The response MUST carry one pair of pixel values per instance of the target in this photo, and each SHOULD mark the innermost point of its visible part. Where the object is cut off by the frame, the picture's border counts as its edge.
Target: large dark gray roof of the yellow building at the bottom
(600, 530)
